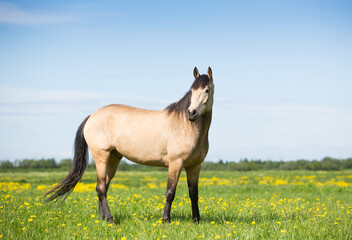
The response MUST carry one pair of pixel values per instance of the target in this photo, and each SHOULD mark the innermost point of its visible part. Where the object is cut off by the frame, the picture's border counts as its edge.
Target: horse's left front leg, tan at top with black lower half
(173, 176)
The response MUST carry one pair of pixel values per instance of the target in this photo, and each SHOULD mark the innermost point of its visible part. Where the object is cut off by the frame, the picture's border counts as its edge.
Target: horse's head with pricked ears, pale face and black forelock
(202, 97)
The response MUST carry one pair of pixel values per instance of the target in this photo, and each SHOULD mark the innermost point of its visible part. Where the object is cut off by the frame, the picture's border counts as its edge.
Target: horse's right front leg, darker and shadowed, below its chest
(192, 180)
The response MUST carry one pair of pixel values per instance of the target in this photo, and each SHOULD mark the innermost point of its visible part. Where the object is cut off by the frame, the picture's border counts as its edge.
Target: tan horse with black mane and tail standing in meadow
(176, 137)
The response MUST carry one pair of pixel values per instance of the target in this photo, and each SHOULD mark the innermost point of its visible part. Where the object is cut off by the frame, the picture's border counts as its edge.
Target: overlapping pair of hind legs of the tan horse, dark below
(106, 165)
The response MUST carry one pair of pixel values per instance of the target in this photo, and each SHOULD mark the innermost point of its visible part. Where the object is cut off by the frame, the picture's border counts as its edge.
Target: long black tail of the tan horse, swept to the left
(79, 165)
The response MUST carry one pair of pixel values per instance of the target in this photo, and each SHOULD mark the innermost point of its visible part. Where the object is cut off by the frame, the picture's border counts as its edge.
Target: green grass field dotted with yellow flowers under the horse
(233, 205)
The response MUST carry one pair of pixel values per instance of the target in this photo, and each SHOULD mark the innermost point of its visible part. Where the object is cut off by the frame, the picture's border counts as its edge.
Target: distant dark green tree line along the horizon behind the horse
(325, 164)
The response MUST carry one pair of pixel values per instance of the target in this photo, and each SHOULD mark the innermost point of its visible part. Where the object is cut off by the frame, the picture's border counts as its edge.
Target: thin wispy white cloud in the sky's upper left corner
(10, 13)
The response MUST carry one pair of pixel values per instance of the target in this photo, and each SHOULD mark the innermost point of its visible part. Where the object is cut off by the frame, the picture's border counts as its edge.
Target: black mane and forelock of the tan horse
(183, 104)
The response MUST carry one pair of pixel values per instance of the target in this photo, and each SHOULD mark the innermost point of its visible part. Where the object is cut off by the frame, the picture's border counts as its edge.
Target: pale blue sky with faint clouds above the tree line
(282, 72)
